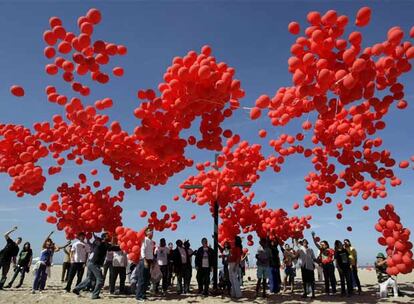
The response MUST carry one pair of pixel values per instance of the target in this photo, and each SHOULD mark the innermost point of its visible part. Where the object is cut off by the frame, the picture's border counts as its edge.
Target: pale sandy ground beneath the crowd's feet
(54, 293)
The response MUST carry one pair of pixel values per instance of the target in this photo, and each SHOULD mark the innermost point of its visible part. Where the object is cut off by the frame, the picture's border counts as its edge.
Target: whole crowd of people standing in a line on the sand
(160, 265)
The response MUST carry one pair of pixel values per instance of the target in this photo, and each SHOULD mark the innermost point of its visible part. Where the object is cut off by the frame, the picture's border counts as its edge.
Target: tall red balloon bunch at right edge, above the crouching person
(396, 239)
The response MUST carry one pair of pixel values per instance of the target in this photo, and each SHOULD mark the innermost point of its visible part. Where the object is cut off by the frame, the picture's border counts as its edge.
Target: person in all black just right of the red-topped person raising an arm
(344, 267)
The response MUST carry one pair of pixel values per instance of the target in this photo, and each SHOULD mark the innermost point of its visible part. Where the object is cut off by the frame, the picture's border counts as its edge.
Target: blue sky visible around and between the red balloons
(251, 36)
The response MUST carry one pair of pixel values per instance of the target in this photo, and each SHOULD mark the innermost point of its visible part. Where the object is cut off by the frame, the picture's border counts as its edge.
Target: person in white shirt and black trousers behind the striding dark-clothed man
(78, 255)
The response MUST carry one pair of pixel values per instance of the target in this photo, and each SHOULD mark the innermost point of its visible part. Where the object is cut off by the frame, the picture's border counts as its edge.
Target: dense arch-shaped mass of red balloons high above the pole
(196, 85)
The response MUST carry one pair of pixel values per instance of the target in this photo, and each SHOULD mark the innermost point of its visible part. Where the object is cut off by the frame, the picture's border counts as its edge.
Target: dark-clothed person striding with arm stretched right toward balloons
(94, 266)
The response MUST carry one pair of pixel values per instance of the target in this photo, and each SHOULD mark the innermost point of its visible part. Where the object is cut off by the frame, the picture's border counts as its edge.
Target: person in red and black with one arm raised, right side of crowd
(326, 257)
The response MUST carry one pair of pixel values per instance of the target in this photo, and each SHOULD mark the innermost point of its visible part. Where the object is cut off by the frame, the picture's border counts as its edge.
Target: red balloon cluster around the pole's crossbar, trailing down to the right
(239, 169)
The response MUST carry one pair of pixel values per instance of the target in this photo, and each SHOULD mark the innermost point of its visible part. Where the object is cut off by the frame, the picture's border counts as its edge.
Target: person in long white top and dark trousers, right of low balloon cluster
(143, 272)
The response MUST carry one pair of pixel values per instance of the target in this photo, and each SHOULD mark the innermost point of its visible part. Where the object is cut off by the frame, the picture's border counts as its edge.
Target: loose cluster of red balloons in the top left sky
(83, 56)
